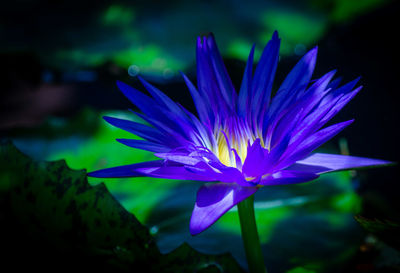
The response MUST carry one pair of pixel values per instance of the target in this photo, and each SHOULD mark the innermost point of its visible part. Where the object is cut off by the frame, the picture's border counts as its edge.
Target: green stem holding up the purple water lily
(250, 238)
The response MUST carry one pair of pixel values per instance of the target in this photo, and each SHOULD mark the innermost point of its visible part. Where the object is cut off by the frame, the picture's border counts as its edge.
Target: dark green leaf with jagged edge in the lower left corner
(58, 208)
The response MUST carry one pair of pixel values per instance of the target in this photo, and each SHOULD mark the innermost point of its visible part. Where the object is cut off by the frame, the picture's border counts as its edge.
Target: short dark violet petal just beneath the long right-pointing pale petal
(288, 177)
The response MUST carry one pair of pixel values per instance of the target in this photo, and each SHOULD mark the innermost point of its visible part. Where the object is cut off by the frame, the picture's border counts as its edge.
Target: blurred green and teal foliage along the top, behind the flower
(161, 41)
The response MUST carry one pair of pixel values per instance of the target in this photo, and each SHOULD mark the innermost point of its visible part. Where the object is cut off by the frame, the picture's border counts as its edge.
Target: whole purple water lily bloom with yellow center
(239, 141)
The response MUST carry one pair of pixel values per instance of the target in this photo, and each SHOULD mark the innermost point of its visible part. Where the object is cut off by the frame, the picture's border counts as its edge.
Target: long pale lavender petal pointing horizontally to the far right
(323, 163)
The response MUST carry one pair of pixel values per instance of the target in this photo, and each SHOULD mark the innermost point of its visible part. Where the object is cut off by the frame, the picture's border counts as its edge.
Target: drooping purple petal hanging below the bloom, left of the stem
(213, 200)
